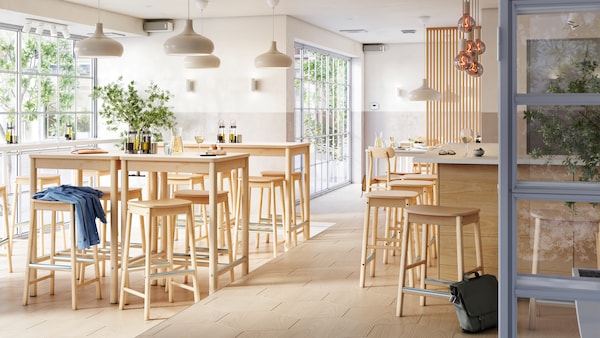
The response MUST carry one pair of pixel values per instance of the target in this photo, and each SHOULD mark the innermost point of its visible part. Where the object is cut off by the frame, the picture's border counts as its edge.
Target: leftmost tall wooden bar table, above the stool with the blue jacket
(102, 162)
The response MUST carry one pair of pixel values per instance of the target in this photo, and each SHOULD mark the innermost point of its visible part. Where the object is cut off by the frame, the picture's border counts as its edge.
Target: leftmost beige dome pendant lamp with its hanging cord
(98, 45)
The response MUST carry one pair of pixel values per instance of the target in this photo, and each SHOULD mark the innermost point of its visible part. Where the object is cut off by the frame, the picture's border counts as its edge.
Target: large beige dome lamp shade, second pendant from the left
(188, 42)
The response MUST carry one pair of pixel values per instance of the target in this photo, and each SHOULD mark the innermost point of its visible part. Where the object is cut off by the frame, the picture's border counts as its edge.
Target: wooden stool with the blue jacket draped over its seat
(71, 260)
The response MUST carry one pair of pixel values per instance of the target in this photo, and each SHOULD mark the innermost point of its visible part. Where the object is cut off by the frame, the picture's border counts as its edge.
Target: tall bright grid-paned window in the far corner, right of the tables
(322, 115)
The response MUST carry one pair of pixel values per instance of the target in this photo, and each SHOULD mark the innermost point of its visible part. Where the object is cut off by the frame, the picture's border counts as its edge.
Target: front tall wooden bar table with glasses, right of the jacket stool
(160, 165)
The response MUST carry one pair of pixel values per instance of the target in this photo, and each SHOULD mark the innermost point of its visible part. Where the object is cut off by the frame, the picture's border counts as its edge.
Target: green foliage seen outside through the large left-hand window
(48, 82)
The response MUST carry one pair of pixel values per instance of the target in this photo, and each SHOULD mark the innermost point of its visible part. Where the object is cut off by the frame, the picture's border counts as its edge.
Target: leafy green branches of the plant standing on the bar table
(124, 106)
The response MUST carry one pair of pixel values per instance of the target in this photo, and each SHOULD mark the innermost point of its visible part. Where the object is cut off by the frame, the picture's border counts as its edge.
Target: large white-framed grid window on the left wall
(45, 89)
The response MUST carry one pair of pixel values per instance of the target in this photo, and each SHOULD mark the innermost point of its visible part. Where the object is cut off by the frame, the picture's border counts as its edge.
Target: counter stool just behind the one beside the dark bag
(372, 240)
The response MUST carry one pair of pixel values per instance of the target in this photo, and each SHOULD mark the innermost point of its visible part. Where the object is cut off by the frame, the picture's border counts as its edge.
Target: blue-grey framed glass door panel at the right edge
(549, 146)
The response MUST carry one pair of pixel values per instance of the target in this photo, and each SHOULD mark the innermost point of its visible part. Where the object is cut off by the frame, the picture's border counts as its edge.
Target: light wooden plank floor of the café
(311, 291)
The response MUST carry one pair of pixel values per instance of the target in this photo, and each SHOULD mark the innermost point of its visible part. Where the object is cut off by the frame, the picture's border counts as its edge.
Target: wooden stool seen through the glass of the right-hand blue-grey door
(556, 215)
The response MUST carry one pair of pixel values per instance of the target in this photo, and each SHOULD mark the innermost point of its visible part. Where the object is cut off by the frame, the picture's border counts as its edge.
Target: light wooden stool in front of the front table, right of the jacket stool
(157, 265)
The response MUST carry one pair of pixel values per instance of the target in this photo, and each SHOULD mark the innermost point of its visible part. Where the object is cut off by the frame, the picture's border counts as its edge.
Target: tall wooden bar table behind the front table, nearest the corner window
(287, 150)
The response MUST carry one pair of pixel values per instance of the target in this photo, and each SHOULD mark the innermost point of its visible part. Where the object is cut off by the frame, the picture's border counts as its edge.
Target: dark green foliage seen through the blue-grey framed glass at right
(574, 130)
